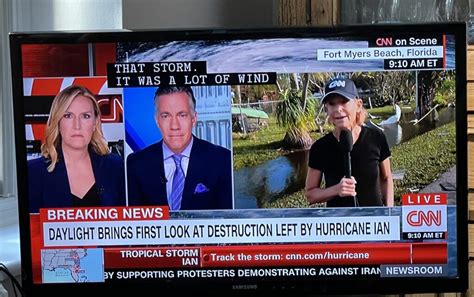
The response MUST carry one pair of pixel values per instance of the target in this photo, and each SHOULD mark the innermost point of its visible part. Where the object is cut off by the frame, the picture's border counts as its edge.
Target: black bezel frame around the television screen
(209, 287)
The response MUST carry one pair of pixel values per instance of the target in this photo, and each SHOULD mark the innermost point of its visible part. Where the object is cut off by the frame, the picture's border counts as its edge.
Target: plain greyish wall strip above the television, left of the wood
(148, 14)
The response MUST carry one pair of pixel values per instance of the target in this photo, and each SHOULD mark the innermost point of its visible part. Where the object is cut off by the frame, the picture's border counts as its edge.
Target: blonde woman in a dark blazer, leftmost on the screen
(76, 168)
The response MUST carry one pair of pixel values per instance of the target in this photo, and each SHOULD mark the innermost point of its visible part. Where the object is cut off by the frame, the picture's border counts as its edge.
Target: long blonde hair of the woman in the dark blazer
(52, 142)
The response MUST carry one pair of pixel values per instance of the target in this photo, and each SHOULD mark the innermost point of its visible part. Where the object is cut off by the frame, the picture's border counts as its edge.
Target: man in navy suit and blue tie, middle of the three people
(181, 171)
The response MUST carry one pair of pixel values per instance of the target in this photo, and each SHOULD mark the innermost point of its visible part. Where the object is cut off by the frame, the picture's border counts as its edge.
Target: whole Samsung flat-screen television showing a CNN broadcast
(258, 161)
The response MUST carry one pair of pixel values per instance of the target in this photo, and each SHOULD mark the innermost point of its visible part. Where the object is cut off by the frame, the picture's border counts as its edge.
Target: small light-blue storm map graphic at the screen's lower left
(72, 265)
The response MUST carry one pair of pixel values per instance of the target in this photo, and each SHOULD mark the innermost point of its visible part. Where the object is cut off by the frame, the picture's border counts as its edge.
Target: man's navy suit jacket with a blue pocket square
(208, 183)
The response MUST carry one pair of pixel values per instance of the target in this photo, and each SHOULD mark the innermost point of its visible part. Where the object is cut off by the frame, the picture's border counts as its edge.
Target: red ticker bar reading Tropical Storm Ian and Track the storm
(276, 255)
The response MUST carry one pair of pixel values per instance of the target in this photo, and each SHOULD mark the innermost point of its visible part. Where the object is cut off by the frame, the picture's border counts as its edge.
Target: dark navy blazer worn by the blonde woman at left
(51, 189)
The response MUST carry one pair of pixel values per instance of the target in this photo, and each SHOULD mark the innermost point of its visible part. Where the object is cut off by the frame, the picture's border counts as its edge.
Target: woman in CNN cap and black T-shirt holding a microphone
(371, 182)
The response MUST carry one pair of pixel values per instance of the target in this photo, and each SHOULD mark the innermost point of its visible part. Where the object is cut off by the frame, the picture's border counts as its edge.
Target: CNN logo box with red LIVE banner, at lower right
(424, 212)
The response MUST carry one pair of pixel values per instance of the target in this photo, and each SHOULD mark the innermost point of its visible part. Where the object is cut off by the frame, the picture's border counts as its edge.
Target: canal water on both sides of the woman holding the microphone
(286, 174)
